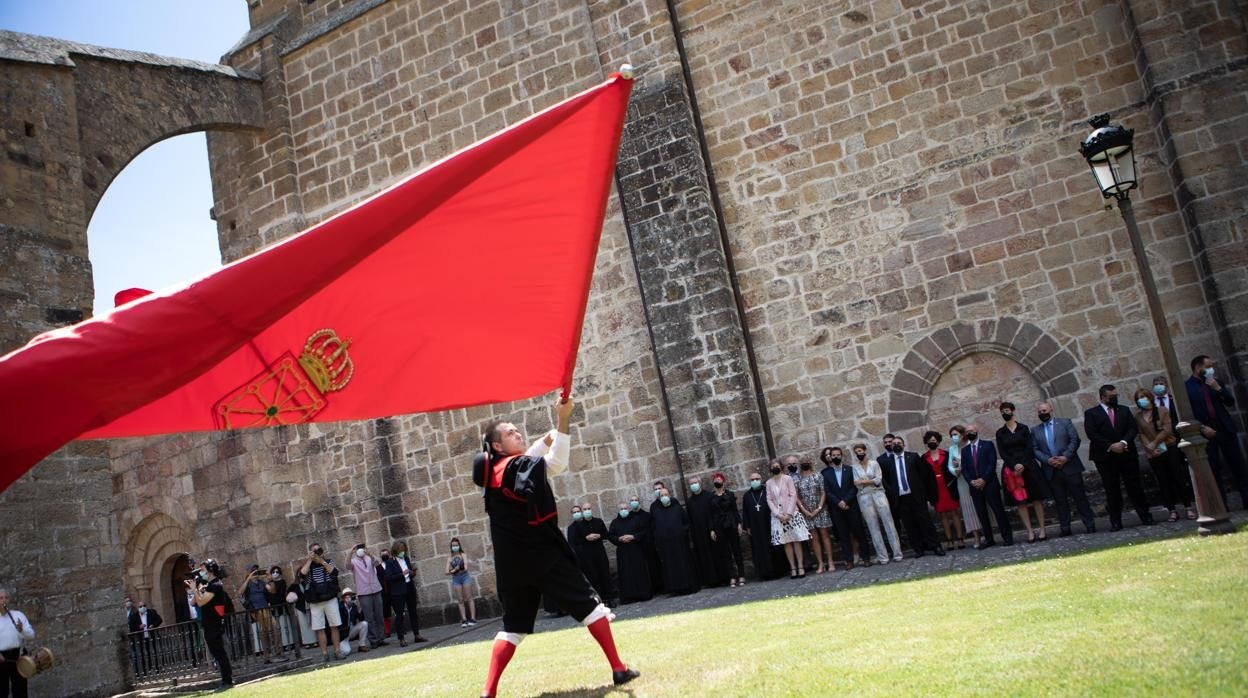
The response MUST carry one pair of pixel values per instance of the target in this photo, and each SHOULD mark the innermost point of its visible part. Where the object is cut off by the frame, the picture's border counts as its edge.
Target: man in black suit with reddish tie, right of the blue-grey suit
(1111, 430)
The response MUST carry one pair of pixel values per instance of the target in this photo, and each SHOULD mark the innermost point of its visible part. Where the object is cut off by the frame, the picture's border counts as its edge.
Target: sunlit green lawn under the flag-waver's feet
(1169, 617)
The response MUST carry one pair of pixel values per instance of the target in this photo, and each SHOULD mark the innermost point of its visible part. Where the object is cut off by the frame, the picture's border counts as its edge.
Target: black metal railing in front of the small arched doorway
(254, 641)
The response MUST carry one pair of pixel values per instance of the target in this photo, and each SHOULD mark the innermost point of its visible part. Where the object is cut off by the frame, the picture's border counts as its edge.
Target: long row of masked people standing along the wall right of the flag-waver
(958, 490)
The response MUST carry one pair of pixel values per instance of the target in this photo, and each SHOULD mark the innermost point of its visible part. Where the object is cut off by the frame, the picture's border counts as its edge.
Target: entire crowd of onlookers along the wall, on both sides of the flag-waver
(957, 493)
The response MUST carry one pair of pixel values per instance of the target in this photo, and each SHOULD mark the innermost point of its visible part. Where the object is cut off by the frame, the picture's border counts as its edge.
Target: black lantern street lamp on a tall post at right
(1109, 152)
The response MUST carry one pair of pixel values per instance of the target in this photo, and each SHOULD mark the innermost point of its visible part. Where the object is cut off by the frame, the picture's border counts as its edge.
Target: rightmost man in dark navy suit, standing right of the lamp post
(1211, 403)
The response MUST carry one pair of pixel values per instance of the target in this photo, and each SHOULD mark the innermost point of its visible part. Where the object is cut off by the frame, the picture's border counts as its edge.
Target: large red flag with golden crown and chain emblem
(462, 285)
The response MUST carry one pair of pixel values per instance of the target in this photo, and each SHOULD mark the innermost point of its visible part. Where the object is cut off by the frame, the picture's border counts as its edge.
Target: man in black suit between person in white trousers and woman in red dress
(910, 486)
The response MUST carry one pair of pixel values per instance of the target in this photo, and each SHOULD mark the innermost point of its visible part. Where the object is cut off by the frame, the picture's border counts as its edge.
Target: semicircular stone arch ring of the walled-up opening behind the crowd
(1050, 364)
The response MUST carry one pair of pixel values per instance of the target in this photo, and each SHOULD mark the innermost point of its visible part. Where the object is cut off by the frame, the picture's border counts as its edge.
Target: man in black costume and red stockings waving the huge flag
(532, 559)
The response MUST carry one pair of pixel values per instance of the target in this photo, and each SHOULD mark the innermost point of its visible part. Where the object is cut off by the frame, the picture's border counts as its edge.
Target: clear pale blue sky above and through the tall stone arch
(153, 228)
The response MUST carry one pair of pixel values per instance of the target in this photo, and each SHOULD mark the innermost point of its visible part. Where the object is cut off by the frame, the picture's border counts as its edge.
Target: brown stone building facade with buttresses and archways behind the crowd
(831, 222)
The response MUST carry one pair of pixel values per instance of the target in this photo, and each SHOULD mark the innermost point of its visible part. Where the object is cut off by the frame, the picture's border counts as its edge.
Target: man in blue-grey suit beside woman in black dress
(1058, 449)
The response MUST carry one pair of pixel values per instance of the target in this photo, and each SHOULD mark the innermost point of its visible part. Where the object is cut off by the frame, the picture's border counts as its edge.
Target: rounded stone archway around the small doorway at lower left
(153, 551)
